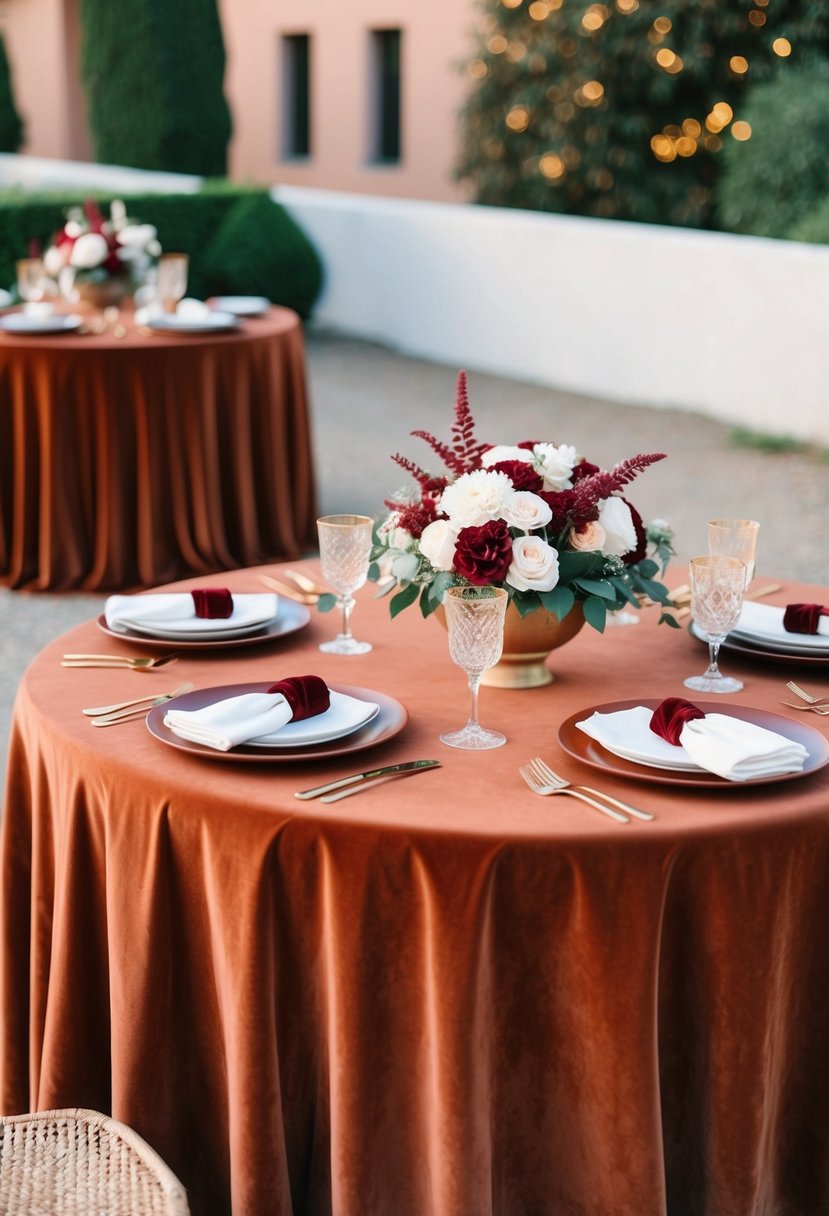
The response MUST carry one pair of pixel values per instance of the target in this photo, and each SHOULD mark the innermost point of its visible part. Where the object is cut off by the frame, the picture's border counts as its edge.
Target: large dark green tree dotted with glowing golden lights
(601, 109)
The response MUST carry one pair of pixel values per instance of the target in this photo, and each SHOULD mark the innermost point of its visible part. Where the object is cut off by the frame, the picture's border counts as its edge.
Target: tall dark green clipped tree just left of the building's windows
(154, 81)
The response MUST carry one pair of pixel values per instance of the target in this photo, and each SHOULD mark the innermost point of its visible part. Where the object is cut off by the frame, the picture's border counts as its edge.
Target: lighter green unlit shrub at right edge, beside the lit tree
(780, 176)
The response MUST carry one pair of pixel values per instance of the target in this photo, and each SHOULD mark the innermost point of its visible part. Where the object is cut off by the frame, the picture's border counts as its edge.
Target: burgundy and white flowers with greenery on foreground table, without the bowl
(535, 519)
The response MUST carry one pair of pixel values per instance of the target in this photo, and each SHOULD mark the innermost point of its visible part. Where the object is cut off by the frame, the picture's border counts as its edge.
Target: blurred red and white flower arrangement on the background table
(93, 250)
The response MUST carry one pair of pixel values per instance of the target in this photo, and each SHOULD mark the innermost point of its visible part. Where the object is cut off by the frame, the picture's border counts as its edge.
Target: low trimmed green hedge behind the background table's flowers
(240, 241)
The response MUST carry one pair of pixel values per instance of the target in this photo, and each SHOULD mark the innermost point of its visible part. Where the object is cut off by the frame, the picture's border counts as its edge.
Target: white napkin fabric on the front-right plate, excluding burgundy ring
(730, 747)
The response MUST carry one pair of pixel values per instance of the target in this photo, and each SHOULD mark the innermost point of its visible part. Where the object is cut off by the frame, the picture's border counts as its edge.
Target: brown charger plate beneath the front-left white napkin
(390, 720)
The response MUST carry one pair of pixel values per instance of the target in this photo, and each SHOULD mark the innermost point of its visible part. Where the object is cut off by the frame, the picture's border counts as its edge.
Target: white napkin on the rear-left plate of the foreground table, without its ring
(176, 612)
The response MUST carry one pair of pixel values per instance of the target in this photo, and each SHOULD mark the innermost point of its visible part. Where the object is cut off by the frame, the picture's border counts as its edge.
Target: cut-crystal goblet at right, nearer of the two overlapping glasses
(717, 599)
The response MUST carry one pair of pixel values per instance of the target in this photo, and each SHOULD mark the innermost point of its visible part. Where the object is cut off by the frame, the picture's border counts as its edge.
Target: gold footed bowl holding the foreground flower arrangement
(528, 643)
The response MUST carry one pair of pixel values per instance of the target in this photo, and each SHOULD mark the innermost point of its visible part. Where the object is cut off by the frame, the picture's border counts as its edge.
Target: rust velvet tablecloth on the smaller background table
(132, 461)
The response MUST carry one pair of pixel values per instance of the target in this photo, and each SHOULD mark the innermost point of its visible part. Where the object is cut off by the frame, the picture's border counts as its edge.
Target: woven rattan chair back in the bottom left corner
(80, 1163)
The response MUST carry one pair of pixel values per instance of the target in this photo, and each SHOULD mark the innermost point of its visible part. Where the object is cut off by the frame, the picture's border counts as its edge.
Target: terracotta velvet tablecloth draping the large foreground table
(445, 997)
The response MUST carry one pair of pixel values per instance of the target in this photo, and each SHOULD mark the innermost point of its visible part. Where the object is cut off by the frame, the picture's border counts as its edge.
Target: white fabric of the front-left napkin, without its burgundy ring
(266, 718)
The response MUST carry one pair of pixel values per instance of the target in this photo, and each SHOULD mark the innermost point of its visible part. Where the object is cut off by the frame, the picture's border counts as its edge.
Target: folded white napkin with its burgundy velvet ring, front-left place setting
(268, 717)
